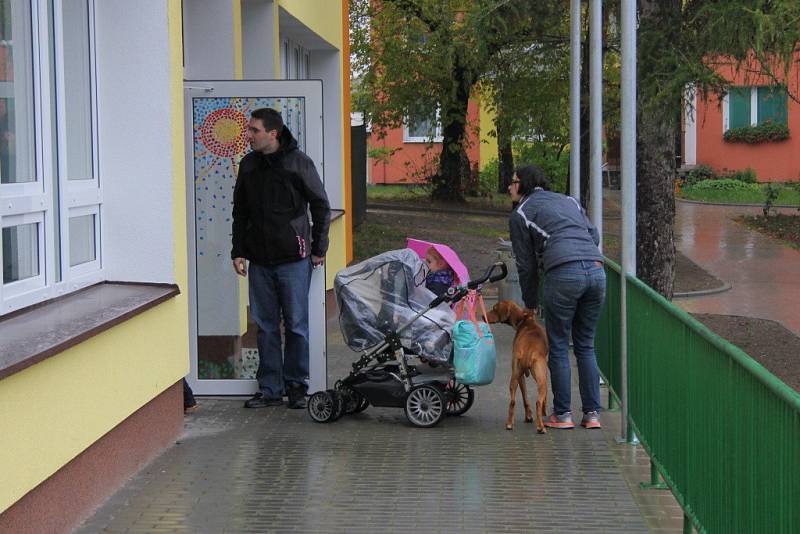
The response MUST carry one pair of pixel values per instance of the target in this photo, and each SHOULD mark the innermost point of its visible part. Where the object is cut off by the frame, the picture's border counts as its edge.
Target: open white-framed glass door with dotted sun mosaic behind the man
(224, 355)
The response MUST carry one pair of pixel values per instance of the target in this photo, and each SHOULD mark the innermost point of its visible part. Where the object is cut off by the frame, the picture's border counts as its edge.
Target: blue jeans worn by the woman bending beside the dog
(573, 298)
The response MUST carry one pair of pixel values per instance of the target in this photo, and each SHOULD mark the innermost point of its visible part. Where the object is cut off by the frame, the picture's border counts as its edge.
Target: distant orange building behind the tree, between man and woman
(411, 157)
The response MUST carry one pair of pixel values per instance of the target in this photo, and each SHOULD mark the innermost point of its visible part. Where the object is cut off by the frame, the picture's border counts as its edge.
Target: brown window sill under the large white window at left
(33, 334)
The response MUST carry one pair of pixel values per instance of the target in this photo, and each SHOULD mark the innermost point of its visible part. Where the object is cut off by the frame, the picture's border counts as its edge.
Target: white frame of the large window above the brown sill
(34, 201)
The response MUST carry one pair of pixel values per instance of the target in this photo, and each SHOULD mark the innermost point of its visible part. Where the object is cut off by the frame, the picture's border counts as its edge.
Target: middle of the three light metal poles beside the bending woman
(596, 114)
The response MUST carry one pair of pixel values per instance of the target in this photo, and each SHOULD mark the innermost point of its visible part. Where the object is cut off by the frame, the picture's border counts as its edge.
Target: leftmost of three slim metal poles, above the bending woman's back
(575, 100)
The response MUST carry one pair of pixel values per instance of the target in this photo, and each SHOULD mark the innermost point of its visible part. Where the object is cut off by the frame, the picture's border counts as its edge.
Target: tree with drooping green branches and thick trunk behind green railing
(680, 42)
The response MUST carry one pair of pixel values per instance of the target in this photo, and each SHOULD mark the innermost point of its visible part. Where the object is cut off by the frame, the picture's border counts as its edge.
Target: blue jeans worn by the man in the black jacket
(275, 291)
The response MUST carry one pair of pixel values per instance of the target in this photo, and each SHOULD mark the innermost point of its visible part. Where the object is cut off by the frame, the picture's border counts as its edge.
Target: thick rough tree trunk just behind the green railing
(655, 157)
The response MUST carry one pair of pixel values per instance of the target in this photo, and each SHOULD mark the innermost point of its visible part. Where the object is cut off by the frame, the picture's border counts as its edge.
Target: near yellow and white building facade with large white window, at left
(98, 222)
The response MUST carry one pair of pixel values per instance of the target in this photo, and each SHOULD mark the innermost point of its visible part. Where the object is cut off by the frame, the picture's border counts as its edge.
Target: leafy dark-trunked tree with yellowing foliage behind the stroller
(424, 56)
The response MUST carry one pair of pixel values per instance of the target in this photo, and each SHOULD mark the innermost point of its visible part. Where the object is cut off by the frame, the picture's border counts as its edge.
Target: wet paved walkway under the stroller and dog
(273, 470)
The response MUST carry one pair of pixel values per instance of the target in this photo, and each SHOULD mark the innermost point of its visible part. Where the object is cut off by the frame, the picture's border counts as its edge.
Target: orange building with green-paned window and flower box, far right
(751, 101)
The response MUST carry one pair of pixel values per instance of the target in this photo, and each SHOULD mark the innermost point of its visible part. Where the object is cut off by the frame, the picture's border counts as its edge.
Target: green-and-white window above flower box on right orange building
(750, 106)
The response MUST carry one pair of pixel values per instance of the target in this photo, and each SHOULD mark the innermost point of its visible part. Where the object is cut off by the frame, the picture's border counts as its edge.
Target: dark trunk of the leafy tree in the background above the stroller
(454, 166)
